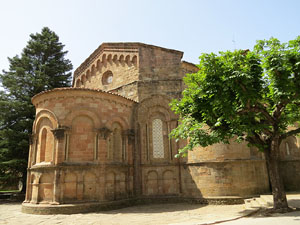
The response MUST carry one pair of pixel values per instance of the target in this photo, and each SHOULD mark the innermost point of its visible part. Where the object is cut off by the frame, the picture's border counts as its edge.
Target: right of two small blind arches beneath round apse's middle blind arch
(89, 188)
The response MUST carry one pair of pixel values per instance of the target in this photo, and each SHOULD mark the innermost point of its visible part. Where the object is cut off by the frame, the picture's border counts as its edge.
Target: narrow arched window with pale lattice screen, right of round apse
(157, 139)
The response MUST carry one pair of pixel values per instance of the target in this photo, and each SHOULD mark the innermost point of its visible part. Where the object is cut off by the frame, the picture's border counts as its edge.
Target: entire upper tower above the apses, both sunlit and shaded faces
(129, 68)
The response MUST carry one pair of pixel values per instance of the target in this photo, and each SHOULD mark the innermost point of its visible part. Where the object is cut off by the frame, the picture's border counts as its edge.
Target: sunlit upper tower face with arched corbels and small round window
(108, 68)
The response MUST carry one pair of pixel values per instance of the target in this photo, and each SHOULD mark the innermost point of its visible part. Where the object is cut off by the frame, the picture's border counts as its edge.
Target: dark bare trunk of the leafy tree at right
(272, 159)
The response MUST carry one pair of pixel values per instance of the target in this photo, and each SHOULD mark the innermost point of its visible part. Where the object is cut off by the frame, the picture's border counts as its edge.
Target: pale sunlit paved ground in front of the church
(155, 214)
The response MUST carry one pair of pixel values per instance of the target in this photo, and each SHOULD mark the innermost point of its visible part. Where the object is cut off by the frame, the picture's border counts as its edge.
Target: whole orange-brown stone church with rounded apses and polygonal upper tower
(104, 142)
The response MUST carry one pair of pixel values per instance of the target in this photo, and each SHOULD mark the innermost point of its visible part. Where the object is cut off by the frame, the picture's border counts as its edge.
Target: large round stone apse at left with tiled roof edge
(88, 126)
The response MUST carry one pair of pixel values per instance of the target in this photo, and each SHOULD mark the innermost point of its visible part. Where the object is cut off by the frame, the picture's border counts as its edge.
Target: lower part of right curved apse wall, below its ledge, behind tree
(228, 178)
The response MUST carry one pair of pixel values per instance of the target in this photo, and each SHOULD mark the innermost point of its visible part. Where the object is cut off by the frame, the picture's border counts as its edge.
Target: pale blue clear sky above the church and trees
(191, 26)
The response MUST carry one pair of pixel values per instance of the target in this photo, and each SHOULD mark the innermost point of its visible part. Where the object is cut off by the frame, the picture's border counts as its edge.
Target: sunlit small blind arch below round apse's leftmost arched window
(45, 188)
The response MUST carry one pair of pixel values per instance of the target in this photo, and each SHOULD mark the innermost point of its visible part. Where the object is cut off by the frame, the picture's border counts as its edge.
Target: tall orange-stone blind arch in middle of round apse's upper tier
(82, 138)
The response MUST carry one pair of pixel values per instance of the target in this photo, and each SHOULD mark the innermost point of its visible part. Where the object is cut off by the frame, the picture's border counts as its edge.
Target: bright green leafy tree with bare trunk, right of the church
(252, 96)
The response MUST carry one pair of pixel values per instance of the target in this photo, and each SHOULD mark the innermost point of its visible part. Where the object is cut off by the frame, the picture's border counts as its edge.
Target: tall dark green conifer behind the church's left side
(41, 66)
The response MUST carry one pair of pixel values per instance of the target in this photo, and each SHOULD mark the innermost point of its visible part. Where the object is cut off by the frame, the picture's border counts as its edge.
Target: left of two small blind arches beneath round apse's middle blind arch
(70, 186)
